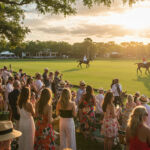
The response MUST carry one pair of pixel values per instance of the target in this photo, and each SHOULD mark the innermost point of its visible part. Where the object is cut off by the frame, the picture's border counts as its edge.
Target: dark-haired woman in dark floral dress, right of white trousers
(87, 104)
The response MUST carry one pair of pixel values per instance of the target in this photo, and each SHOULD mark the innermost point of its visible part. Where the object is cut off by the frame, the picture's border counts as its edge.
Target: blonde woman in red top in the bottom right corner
(138, 133)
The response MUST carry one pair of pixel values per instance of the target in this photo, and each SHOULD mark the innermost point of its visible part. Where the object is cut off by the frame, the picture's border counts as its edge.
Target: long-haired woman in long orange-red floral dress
(44, 135)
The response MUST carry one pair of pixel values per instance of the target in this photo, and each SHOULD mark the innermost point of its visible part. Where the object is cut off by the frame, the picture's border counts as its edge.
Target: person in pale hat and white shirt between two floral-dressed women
(99, 101)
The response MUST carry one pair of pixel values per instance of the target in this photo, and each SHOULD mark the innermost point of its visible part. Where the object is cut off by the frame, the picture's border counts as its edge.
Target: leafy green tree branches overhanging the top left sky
(12, 14)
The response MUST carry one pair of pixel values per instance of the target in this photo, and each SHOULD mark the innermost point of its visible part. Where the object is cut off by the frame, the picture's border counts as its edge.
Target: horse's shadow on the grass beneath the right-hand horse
(144, 80)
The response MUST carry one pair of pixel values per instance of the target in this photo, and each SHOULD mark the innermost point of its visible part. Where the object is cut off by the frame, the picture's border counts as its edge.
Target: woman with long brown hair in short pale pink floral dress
(110, 124)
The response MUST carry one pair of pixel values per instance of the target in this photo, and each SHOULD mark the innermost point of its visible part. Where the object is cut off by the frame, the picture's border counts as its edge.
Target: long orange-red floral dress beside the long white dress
(44, 135)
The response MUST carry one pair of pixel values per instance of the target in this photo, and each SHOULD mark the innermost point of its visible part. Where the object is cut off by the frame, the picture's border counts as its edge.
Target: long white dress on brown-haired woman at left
(27, 127)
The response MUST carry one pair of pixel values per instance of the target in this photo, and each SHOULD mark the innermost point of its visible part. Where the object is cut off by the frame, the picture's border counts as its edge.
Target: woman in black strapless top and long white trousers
(66, 109)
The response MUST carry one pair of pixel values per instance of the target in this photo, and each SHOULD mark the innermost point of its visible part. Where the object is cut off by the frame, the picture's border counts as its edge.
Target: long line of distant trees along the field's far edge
(77, 50)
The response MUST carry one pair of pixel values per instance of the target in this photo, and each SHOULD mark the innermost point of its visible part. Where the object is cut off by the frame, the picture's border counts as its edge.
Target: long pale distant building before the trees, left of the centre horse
(40, 54)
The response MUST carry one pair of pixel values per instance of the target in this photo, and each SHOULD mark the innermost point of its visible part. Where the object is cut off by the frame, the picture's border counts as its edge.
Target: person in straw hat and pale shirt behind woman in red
(144, 100)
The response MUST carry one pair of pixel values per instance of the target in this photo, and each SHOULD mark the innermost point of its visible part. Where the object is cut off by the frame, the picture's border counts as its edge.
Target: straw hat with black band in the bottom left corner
(7, 132)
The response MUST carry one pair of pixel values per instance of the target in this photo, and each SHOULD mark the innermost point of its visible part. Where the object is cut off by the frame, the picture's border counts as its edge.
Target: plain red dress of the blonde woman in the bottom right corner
(136, 144)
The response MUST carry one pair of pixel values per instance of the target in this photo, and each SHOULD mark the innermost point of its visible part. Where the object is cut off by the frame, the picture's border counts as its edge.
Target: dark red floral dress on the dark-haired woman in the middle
(88, 115)
